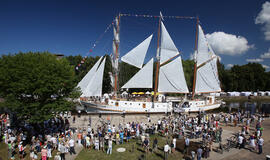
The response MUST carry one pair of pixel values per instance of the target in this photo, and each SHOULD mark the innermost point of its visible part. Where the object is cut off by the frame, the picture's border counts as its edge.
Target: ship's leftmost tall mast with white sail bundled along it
(117, 42)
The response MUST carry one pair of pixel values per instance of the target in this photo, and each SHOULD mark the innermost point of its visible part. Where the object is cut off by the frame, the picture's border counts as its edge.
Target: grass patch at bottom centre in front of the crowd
(128, 154)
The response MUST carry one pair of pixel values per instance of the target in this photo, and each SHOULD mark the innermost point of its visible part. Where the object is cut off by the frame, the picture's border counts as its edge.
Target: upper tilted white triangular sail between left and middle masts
(136, 56)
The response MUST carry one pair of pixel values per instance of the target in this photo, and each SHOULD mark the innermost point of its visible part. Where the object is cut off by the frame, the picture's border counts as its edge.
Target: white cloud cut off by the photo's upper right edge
(264, 19)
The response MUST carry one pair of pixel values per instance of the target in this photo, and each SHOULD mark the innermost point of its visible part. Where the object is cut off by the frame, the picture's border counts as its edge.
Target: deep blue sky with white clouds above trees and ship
(237, 30)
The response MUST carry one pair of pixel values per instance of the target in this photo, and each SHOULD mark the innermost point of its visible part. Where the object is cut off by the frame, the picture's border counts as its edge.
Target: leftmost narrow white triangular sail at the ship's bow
(87, 78)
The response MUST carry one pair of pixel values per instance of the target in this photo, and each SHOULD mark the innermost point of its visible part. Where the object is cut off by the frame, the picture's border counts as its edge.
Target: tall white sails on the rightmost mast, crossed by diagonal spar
(207, 75)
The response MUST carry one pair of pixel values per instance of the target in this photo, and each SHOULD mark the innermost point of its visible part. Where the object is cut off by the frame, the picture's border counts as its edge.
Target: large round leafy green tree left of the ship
(34, 85)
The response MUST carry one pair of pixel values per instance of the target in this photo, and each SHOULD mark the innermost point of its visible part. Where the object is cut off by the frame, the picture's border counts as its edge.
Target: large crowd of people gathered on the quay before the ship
(57, 135)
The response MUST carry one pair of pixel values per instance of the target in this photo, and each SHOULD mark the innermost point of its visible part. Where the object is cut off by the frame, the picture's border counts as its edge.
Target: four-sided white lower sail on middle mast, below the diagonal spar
(171, 78)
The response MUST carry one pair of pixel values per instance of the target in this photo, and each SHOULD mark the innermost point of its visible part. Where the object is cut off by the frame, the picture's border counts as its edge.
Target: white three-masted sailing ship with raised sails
(169, 77)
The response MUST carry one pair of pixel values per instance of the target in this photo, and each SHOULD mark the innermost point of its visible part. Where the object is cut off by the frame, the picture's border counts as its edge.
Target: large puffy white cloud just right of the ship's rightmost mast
(224, 43)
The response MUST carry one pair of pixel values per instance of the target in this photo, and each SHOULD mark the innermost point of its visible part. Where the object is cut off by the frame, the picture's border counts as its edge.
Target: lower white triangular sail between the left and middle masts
(143, 78)
